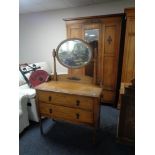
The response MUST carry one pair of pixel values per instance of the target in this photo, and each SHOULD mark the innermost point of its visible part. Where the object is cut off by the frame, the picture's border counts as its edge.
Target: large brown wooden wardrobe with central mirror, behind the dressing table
(103, 33)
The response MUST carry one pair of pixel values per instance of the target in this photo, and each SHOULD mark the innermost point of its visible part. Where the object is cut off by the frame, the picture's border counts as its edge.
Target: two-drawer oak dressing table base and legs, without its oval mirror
(74, 101)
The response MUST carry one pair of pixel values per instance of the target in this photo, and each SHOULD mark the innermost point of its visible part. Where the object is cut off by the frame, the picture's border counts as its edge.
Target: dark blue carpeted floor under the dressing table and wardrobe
(67, 139)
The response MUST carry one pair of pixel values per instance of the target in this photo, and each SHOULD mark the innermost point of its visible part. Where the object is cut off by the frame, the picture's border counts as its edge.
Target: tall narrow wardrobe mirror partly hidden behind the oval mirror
(92, 37)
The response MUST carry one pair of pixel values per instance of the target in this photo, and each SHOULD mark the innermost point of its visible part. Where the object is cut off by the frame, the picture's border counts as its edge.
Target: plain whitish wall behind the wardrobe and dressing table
(40, 33)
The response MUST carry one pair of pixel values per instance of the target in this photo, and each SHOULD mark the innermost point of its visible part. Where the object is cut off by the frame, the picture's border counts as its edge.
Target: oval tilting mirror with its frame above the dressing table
(73, 53)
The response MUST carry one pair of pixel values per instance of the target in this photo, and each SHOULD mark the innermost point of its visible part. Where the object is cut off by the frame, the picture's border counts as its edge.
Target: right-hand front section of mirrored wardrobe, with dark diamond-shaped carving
(111, 30)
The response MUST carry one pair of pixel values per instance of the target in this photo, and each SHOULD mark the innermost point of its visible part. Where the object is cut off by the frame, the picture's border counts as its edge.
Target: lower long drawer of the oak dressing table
(66, 113)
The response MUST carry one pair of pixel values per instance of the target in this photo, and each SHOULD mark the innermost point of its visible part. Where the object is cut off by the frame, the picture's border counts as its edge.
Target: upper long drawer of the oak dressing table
(73, 101)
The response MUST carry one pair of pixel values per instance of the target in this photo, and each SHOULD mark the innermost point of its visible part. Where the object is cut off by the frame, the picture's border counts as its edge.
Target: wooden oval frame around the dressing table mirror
(72, 39)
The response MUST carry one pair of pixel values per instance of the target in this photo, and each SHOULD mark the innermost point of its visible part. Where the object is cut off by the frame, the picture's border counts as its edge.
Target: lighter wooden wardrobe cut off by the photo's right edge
(128, 66)
